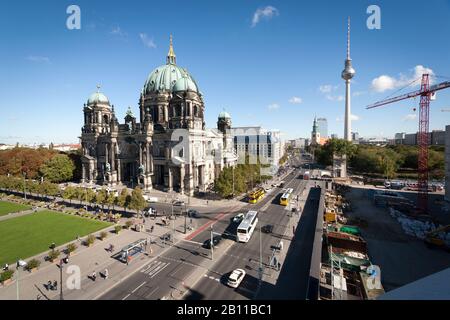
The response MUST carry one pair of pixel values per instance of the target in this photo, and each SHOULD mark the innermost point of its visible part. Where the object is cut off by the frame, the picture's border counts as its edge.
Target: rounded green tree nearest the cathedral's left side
(58, 169)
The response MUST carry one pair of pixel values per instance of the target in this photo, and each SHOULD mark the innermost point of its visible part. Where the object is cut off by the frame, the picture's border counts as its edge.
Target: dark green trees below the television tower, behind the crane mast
(389, 161)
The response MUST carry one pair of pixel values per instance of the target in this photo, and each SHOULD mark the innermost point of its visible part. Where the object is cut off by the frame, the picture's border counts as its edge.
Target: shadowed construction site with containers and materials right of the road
(374, 234)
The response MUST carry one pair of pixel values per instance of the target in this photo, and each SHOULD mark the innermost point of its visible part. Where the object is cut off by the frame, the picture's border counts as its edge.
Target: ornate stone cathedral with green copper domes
(169, 148)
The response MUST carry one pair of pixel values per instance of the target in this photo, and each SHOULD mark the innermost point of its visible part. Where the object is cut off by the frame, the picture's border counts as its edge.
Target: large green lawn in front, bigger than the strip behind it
(26, 236)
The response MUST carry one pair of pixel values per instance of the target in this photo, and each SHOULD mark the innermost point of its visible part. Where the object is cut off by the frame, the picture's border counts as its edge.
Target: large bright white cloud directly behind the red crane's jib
(386, 82)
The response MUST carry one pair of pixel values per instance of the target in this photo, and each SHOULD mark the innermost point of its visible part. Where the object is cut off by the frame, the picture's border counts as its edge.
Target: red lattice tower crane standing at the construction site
(426, 94)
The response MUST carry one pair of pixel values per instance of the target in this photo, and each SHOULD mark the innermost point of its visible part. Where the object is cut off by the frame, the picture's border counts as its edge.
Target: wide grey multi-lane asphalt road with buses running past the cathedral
(166, 274)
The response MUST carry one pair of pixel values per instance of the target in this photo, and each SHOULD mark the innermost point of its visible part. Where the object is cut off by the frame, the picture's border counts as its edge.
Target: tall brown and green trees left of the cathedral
(40, 163)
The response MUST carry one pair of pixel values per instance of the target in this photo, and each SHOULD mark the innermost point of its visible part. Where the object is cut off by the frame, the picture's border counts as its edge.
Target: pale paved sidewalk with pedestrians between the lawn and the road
(95, 258)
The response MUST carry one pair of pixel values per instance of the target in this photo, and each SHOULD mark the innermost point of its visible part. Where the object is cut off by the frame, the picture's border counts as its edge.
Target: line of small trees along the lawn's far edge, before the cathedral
(103, 197)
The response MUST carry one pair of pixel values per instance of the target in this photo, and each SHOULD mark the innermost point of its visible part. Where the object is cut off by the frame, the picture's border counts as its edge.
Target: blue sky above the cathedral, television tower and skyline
(257, 59)
